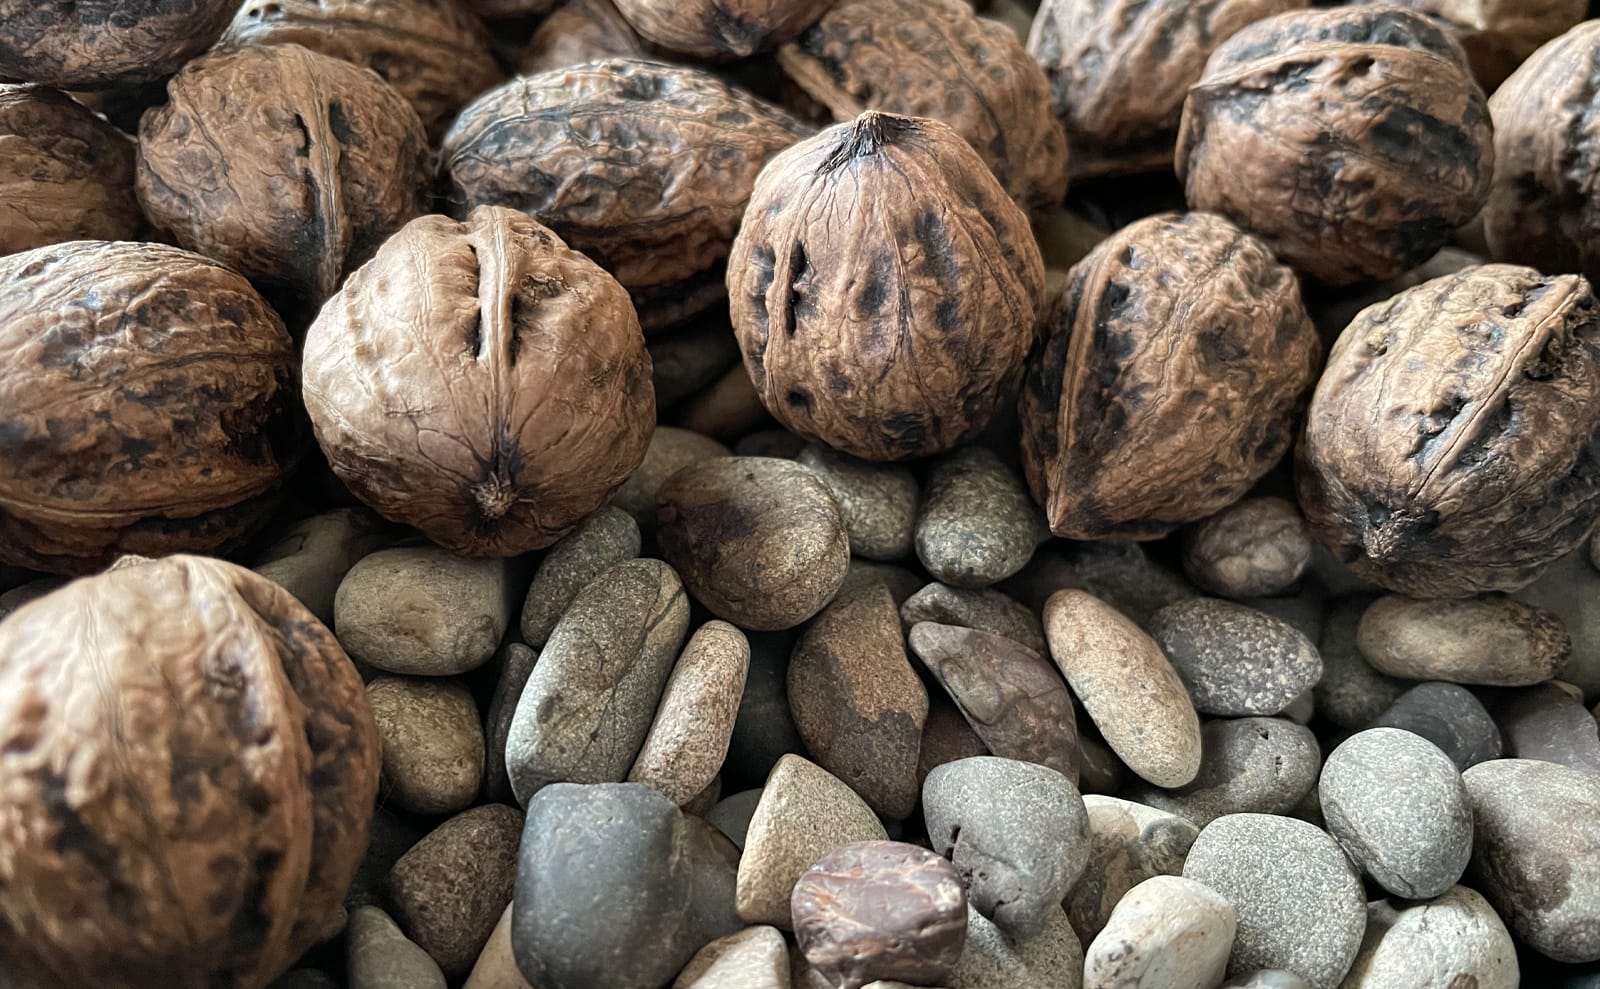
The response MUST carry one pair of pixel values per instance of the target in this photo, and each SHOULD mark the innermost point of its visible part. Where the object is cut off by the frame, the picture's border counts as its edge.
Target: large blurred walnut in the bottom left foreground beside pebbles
(190, 774)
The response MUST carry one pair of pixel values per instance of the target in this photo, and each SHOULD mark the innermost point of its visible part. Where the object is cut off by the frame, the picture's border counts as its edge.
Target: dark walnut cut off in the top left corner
(92, 44)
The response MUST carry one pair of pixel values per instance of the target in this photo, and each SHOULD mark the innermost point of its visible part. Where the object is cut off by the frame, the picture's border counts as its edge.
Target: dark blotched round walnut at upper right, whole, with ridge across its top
(1354, 140)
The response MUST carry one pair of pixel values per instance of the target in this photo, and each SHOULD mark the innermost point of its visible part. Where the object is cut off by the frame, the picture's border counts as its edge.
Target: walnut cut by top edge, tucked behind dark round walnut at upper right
(1119, 71)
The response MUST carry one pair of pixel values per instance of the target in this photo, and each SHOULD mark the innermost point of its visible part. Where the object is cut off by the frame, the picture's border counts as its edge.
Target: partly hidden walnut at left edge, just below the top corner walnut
(68, 174)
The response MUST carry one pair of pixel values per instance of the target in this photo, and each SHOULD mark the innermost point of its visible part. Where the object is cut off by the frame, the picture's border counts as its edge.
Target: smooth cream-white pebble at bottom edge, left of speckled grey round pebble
(1167, 934)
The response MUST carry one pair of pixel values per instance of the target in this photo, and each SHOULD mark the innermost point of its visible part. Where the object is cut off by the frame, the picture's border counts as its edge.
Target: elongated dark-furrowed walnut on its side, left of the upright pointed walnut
(641, 166)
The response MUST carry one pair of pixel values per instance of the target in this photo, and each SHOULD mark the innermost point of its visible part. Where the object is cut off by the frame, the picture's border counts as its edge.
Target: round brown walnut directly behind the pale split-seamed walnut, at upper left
(284, 164)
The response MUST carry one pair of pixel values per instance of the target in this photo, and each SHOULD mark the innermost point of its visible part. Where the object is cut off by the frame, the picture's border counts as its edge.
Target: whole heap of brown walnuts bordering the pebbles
(457, 260)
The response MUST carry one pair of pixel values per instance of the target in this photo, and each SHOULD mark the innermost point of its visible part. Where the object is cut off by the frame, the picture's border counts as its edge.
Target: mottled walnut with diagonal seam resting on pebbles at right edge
(1454, 444)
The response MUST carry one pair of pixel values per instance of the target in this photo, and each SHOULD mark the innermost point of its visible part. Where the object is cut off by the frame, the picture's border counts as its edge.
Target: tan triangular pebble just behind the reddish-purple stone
(804, 814)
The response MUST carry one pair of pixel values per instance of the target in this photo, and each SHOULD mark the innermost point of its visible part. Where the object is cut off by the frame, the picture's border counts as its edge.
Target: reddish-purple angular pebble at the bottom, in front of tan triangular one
(881, 911)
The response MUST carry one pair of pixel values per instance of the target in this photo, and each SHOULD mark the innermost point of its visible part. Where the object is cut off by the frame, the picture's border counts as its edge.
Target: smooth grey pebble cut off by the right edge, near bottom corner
(1537, 852)
